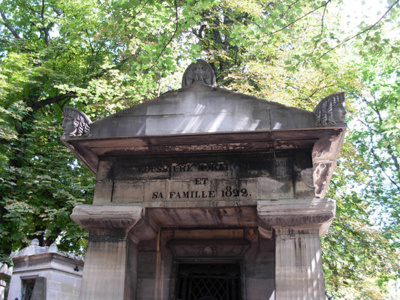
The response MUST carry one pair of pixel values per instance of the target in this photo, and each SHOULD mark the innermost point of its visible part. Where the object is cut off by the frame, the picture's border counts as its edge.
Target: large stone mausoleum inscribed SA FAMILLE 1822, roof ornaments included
(204, 193)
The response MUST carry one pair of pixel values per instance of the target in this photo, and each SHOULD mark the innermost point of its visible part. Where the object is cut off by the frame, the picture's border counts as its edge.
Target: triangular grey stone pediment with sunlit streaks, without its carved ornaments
(200, 109)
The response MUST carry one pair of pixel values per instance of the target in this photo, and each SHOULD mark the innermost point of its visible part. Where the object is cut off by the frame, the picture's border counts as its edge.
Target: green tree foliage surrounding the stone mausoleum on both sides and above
(104, 56)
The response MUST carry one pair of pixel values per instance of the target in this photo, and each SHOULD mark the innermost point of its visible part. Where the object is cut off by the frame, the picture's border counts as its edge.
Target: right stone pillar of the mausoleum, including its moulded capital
(297, 225)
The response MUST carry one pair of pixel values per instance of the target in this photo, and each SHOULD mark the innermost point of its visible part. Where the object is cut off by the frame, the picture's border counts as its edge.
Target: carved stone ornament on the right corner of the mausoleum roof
(330, 112)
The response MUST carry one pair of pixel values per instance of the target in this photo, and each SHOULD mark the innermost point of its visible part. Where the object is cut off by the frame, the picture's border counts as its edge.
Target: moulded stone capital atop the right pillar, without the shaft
(295, 213)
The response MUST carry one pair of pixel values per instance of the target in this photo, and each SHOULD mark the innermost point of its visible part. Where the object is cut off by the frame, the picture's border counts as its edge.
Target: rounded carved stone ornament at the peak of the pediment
(199, 72)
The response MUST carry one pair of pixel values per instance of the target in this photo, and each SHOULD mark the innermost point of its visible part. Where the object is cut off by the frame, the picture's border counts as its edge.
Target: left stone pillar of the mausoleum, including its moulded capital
(107, 263)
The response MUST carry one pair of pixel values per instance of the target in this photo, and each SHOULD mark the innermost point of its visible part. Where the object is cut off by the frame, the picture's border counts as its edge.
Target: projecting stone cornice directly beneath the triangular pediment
(88, 150)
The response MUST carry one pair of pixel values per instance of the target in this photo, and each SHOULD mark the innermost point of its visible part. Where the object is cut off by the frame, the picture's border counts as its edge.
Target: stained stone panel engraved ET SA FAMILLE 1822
(235, 179)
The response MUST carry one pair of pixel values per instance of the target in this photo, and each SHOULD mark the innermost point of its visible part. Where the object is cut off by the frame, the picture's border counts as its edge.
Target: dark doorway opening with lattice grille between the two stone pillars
(208, 282)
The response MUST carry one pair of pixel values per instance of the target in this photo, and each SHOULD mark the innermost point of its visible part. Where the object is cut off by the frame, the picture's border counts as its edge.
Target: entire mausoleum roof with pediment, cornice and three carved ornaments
(201, 117)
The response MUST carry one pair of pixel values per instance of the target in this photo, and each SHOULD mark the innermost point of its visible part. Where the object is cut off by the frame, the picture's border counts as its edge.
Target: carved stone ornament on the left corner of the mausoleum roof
(75, 123)
